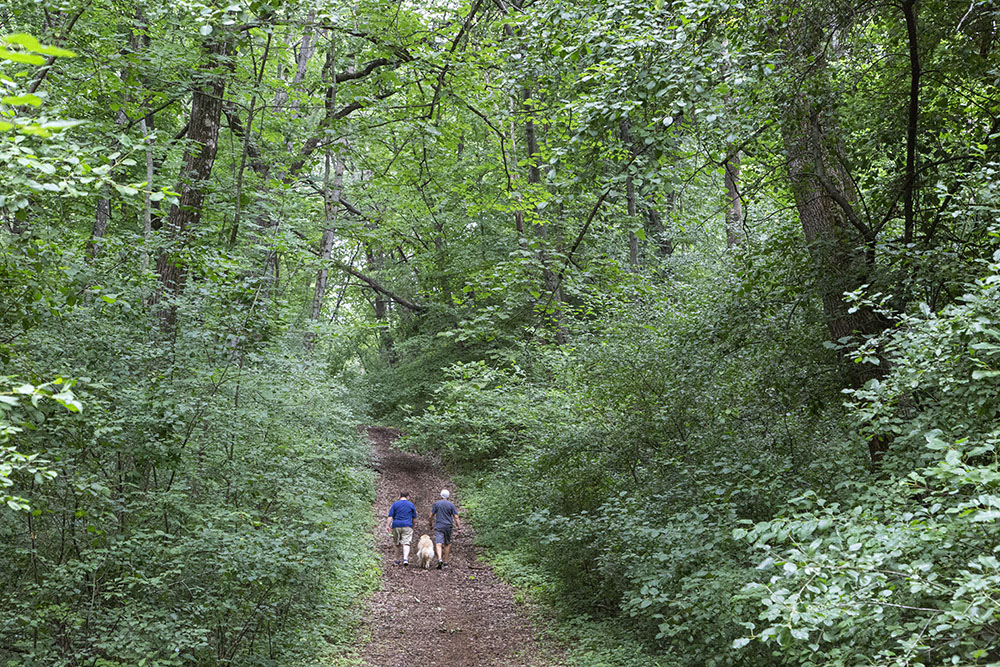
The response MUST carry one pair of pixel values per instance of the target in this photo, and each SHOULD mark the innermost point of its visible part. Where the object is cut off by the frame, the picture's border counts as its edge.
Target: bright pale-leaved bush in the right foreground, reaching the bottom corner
(907, 573)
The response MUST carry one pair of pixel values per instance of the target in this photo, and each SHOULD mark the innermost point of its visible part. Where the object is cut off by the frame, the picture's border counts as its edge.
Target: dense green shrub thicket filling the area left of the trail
(211, 499)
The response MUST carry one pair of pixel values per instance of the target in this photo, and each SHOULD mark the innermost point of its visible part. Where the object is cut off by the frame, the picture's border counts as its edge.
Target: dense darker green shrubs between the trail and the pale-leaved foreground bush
(615, 470)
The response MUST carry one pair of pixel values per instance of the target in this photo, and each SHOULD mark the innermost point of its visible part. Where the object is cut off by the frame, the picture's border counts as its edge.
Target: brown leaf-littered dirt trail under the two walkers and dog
(463, 616)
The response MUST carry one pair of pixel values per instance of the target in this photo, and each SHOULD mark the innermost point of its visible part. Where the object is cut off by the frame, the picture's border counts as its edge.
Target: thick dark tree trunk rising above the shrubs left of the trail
(203, 132)
